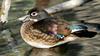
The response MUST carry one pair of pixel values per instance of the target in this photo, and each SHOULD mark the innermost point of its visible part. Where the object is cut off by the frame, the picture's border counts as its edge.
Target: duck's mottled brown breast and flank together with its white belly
(36, 38)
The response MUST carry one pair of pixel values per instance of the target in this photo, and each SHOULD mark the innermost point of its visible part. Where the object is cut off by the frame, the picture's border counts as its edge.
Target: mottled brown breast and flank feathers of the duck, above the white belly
(28, 31)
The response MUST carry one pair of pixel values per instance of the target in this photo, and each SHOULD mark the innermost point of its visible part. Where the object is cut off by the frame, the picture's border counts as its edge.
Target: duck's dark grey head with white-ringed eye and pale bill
(35, 14)
